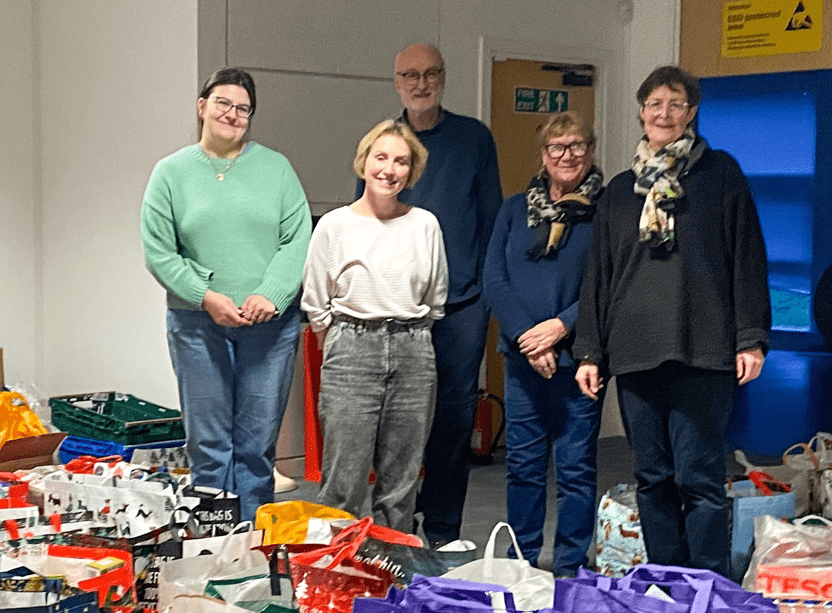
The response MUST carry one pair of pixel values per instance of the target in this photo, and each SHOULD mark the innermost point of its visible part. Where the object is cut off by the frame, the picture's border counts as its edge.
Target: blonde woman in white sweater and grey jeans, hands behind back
(375, 279)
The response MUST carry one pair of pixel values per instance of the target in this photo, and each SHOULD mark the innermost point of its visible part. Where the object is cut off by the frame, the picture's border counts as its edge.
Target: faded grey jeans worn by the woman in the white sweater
(378, 389)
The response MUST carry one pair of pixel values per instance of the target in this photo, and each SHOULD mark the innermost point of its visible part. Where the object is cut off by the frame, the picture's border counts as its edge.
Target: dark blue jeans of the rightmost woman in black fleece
(675, 418)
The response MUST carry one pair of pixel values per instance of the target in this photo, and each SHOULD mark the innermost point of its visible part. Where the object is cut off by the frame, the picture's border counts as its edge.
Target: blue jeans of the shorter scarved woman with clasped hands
(550, 418)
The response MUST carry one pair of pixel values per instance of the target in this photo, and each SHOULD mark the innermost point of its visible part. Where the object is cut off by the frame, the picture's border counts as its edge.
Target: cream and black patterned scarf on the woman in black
(657, 178)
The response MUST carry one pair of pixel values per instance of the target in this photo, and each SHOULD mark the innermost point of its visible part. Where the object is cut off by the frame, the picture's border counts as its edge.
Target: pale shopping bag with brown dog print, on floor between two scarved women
(619, 539)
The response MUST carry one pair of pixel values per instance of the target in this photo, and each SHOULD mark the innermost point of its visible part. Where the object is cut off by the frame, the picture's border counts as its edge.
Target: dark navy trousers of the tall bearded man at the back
(459, 341)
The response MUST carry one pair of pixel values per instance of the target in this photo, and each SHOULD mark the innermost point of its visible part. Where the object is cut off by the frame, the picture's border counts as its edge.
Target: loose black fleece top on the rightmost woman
(698, 304)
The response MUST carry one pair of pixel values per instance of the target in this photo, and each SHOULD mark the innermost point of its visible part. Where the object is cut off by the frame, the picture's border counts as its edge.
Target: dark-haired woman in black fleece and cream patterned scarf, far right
(675, 304)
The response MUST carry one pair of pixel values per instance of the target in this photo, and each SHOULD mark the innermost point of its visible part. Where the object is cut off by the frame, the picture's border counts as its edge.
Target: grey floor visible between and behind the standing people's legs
(486, 500)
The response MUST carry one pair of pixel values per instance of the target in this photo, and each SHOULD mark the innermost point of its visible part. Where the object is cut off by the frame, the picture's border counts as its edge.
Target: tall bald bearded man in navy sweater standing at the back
(461, 187)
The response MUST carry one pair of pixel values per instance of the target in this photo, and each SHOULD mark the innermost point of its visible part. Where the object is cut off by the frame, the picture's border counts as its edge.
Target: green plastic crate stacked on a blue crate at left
(110, 416)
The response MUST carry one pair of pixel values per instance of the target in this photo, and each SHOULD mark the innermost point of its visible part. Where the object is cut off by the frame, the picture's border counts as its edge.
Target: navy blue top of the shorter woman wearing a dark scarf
(522, 292)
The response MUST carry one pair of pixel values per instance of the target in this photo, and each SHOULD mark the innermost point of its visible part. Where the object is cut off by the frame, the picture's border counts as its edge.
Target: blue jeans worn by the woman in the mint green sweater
(233, 387)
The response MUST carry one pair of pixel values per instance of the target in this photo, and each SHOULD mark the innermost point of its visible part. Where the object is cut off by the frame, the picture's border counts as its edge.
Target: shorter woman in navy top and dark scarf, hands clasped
(532, 280)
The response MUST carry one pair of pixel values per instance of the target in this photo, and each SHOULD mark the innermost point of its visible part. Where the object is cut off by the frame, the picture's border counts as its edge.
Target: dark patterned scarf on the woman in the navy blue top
(550, 219)
